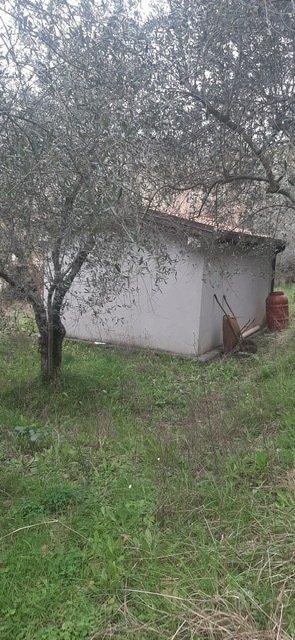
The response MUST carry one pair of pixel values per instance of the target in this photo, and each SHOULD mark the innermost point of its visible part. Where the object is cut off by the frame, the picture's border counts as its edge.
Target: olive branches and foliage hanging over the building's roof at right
(223, 107)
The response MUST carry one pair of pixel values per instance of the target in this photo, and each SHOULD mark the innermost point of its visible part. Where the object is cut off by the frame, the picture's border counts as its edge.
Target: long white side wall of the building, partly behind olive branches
(166, 319)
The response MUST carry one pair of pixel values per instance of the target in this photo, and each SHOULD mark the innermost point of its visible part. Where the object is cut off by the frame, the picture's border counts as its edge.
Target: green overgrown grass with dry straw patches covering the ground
(147, 496)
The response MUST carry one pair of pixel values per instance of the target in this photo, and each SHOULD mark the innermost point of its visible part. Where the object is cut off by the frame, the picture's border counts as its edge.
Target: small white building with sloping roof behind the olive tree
(182, 316)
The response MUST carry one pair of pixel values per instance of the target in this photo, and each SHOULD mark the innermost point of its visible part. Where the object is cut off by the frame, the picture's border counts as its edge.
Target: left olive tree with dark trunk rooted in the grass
(73, 189)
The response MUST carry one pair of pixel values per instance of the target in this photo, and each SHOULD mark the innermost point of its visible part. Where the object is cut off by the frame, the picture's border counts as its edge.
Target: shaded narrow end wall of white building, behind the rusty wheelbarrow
(244, 277)
